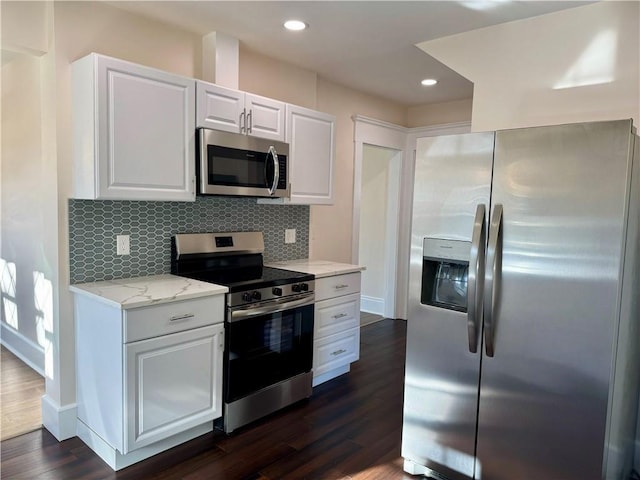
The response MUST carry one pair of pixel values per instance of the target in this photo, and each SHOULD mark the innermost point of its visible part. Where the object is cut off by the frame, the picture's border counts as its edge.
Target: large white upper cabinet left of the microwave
(133, 131)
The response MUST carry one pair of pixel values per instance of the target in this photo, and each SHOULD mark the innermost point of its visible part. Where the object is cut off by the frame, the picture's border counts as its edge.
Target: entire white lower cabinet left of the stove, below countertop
(148, 378)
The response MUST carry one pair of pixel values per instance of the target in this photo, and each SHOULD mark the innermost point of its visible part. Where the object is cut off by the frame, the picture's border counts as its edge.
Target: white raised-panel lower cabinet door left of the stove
(174, 383)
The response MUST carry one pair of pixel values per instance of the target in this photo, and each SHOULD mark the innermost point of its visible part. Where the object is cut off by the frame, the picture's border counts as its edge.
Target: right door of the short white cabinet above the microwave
(265, 117)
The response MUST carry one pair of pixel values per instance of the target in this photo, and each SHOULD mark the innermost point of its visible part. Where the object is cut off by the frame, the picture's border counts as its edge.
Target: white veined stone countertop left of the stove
(143, 291)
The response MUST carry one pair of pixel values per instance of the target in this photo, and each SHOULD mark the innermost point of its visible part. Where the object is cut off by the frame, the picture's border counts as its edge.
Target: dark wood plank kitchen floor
(349, 429)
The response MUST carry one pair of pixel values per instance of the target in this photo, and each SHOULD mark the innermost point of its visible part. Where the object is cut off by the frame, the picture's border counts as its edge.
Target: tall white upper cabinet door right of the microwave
(312, 143)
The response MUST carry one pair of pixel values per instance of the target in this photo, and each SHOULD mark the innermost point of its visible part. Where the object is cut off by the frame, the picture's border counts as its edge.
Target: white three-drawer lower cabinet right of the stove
(337, 326)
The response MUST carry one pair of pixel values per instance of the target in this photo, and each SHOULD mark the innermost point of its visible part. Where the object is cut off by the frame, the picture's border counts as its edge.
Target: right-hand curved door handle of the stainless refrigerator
(492, 279)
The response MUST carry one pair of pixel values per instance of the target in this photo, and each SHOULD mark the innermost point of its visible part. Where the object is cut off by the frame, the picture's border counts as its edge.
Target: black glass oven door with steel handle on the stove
(267, 344)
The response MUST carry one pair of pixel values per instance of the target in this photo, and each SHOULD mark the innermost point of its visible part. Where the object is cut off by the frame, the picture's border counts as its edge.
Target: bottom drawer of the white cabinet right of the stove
(336, 350)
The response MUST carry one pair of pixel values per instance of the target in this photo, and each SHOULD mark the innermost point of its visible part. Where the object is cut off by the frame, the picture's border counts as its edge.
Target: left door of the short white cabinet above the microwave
(219, 108)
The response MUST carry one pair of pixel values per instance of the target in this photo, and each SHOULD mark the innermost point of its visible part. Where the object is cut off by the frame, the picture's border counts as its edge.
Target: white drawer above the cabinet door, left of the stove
(156, 320)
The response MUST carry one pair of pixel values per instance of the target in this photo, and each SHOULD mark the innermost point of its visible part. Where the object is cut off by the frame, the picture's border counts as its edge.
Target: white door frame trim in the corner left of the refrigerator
(395, 137)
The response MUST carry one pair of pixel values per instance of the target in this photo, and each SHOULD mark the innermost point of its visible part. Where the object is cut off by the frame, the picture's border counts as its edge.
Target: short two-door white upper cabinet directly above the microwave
(222, 108)
